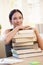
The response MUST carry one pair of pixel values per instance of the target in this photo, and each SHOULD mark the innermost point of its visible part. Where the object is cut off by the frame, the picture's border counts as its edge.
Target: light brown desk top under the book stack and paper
(28, 60)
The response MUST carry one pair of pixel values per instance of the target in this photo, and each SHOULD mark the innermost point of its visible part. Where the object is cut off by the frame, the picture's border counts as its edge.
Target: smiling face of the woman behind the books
(17, 19)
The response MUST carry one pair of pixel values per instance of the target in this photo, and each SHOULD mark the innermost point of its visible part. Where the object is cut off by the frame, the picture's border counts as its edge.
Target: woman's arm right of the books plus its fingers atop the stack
(39, 39)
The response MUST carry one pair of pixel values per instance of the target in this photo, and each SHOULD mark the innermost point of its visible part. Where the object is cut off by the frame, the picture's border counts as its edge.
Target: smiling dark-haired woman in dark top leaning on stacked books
(16, 19)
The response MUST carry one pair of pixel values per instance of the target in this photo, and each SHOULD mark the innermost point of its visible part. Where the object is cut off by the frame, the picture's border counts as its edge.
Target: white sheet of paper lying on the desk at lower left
(10, 60)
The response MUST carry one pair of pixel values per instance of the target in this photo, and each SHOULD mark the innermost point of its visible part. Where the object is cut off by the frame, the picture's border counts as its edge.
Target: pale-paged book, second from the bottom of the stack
(28, 51)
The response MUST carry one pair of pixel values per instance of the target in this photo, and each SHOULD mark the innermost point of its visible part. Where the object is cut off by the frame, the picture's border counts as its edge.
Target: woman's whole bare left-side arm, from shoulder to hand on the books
(10, 34)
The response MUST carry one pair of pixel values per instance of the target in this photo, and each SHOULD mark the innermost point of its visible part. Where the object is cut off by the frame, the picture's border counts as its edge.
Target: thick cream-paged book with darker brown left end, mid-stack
(26, 39)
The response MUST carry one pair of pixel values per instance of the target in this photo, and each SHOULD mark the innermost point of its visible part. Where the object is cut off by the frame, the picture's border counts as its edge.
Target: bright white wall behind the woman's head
(33, 13)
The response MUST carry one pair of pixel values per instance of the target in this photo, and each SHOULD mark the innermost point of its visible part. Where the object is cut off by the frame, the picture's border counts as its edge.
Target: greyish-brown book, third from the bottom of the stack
(28, 46)
